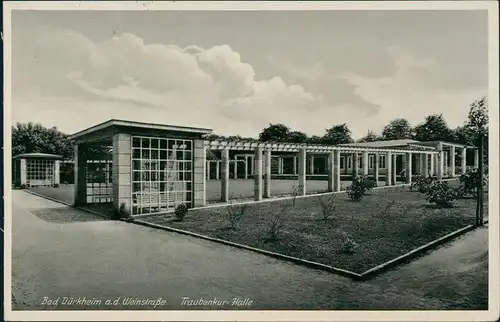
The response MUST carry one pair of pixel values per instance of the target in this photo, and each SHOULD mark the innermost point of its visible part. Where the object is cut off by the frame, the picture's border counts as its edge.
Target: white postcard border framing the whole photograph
(493, 100)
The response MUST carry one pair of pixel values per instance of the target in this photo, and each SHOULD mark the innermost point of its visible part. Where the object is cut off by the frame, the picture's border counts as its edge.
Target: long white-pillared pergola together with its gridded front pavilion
(156, 167)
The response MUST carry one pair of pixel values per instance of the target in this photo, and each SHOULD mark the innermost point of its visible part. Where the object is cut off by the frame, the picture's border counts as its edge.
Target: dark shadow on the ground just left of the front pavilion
(64, 215)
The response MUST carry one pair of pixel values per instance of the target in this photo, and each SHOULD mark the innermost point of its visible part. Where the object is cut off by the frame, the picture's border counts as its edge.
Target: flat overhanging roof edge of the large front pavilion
(140, 125)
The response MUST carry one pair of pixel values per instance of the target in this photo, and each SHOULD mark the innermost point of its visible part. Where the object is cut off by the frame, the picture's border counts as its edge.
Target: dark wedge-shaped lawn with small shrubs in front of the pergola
(387, 223)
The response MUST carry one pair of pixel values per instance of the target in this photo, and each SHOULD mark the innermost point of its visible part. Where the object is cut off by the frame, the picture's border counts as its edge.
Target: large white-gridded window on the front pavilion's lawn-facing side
(161, 174)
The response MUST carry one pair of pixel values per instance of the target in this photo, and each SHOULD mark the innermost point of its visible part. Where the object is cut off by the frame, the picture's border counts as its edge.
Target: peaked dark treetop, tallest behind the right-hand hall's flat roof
(434, 128)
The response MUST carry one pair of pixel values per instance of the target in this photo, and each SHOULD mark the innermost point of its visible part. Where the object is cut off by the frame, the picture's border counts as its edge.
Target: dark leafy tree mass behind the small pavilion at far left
(35, 138)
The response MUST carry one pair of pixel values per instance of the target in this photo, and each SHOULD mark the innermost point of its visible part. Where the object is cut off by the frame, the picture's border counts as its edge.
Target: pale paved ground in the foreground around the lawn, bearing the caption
(62, 252)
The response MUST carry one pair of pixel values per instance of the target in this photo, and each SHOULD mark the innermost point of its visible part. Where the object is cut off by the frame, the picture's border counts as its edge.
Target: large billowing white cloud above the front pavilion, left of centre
(192, 85)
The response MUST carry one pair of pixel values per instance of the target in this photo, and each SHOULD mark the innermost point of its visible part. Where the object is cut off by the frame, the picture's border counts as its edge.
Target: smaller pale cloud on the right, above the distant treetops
(410, 92)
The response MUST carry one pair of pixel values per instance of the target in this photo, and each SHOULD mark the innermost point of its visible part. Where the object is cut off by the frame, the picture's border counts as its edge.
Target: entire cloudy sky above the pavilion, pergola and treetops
(238, 71)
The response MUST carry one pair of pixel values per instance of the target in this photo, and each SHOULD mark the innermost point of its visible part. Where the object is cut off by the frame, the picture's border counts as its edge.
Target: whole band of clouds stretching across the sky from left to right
(64, 78)
